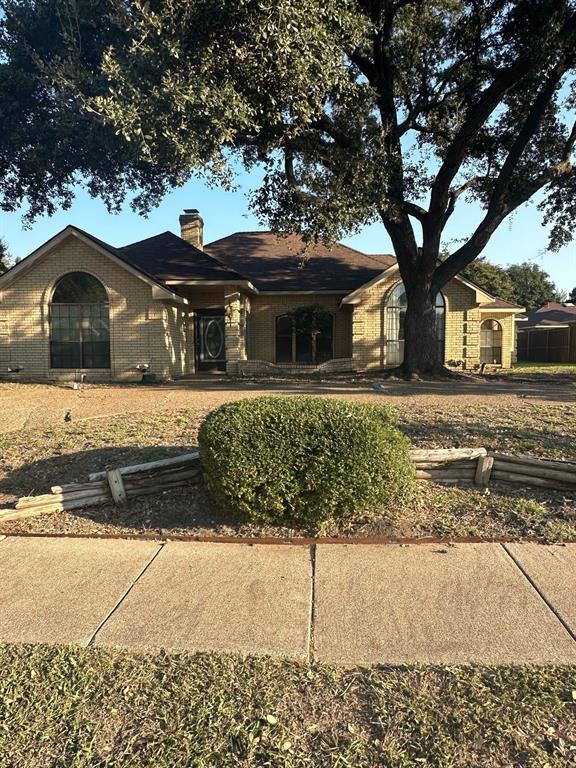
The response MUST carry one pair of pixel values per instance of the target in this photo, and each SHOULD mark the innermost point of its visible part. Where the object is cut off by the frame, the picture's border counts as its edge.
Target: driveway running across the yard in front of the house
(26, 406)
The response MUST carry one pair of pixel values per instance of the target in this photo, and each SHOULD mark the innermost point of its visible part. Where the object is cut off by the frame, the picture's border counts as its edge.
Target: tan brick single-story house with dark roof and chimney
(171, 306)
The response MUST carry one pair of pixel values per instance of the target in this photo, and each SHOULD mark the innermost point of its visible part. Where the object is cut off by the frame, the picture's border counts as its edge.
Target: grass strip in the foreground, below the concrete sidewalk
(91, 708)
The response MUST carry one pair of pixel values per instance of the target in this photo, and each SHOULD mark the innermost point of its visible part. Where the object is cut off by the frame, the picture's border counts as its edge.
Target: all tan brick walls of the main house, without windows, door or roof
(160, 333)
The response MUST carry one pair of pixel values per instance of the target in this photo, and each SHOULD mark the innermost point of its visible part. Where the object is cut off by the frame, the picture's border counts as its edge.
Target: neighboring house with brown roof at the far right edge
(548, 334)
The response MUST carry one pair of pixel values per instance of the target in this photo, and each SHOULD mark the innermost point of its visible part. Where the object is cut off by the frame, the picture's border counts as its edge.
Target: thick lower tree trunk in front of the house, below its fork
(421, 349)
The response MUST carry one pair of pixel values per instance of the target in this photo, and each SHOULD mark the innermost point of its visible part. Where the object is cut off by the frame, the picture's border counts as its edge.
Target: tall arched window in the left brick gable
(79, 323)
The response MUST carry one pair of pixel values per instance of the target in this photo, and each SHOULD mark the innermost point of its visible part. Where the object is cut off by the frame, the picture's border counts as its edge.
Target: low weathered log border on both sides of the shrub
(452, 466)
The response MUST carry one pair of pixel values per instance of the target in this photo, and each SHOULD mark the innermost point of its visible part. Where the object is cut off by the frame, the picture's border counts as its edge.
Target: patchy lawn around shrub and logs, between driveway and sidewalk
(31, 461)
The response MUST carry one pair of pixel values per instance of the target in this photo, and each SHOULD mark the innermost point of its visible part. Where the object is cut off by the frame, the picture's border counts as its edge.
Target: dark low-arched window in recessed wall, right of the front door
(304, 337)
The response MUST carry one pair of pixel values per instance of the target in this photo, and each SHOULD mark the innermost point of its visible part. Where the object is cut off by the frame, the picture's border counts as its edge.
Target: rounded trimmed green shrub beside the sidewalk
(302, 460)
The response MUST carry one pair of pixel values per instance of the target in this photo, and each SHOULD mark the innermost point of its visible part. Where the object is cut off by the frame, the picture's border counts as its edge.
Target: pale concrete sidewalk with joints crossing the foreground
(343, 603)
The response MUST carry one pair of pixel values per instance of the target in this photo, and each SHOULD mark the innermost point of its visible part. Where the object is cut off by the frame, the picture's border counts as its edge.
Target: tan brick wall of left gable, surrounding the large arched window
(142, 330)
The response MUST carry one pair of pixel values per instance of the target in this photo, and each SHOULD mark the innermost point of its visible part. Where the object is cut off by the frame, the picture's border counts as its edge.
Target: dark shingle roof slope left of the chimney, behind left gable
(168, 257)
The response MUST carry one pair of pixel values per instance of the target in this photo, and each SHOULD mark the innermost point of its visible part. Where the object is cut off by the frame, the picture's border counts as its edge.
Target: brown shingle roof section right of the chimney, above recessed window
(274, 263)
